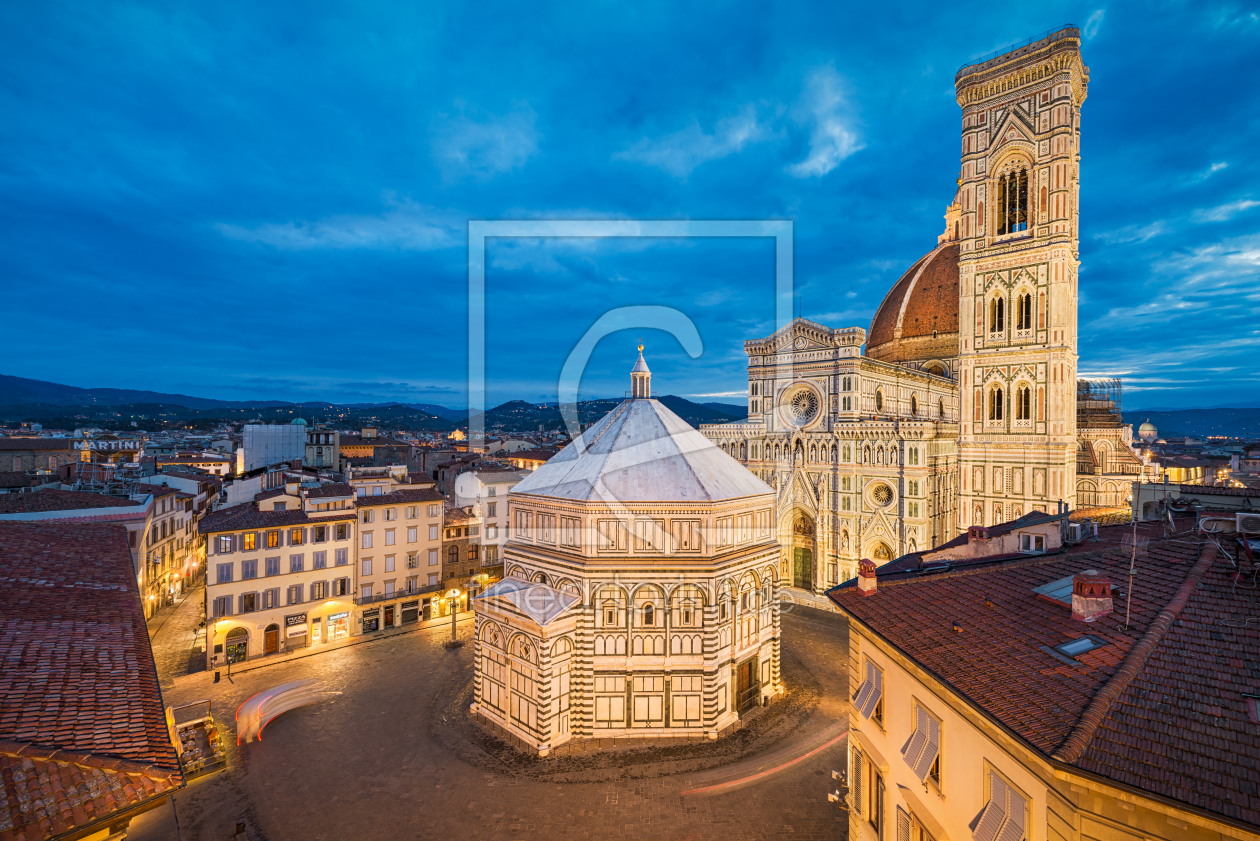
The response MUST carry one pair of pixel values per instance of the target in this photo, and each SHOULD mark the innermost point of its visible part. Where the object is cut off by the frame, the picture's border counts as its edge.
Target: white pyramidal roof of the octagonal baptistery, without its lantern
(642, 452)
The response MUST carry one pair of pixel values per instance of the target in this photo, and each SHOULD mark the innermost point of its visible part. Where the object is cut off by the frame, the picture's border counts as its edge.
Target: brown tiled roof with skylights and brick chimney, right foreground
(1160, 707)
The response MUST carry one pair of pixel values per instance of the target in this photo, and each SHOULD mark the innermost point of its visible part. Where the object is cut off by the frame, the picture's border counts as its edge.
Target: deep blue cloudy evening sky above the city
(272, 201)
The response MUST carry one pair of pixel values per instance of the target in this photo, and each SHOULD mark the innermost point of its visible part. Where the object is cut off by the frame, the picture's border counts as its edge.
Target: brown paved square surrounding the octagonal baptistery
(376, 762)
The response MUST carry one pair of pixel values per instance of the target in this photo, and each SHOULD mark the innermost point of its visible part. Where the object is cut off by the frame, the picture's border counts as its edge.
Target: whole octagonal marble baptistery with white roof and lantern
(642, 592)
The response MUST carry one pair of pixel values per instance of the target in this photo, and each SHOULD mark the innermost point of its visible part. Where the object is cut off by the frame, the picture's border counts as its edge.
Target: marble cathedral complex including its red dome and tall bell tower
(959, 408)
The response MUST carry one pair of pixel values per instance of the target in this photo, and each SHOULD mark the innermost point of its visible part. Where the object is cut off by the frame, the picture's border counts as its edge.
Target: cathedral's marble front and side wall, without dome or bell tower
(861, 453)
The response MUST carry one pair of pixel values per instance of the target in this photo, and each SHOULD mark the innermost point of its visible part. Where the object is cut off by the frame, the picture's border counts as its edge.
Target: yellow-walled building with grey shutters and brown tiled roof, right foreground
(1025, 700)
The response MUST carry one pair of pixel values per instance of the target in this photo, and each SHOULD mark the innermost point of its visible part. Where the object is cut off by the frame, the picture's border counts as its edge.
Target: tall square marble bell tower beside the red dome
(1019, 224)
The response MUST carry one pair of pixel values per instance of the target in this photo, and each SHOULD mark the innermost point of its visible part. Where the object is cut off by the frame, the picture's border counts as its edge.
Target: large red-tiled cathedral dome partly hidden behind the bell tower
(918, 320)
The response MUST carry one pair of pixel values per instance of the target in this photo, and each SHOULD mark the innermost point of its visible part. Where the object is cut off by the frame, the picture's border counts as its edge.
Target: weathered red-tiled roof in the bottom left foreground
(79, 692)
